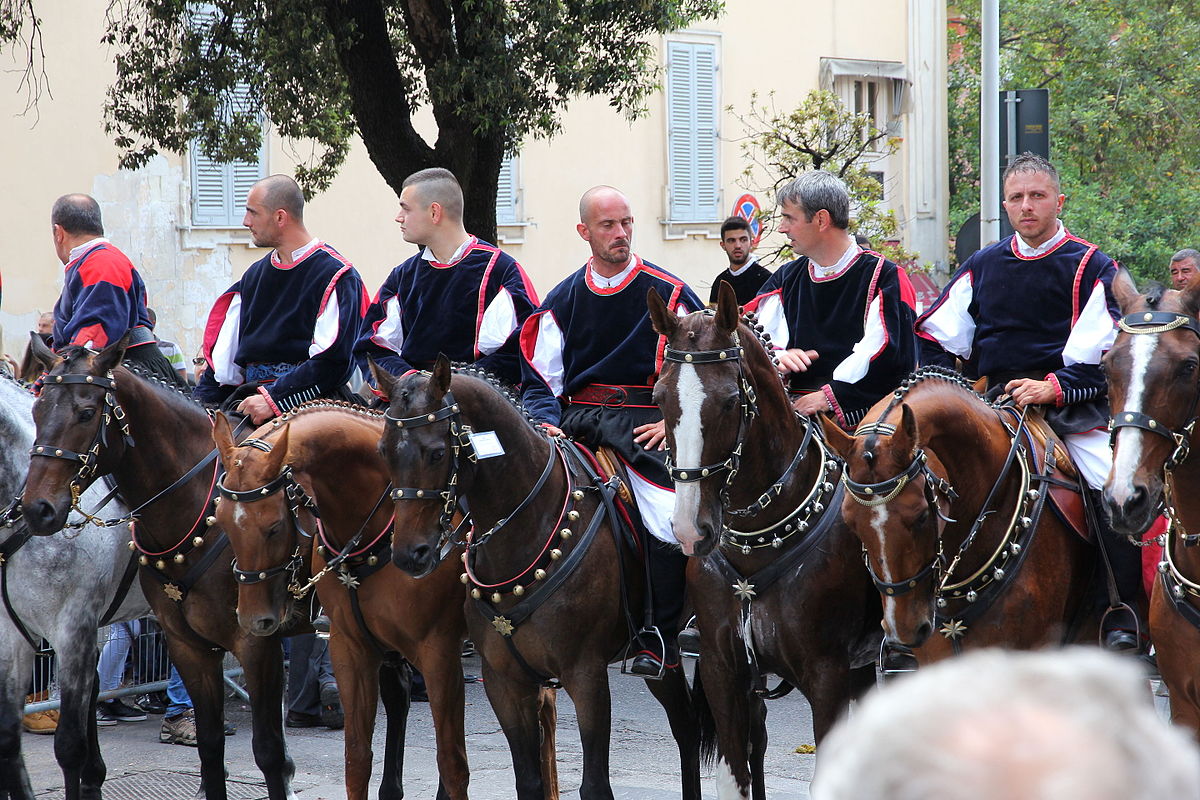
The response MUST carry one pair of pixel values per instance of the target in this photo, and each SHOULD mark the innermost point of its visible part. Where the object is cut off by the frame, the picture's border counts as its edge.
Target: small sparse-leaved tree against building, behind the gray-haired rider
(820, 134)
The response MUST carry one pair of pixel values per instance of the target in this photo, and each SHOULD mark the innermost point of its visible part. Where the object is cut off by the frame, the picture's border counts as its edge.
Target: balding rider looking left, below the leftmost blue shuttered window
(287, 329)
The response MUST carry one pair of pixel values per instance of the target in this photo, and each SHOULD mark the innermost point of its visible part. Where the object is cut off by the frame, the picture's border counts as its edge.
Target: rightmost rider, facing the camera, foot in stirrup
(1035, 312)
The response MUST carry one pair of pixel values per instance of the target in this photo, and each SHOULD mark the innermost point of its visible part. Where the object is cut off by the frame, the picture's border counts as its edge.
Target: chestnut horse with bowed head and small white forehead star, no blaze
(322, 474)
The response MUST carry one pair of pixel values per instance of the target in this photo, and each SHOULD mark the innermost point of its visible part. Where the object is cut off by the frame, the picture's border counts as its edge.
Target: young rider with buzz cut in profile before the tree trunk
(460, 296)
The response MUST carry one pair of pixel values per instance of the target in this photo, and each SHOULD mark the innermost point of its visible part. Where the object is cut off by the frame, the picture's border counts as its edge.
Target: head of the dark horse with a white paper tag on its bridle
(421, 448)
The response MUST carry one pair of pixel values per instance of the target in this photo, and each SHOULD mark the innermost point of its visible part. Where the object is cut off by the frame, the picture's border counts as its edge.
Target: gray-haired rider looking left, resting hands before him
(841, 316)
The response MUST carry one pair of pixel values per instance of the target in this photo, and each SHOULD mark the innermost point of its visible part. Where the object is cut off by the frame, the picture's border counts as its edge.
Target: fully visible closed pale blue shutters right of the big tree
(693, 175)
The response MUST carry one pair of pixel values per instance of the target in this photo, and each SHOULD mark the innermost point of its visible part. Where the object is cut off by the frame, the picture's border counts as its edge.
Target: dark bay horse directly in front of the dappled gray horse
(95, 418)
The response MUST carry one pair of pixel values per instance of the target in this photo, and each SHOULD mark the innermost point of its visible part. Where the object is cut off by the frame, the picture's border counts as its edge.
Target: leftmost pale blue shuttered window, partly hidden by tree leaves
(219, 191)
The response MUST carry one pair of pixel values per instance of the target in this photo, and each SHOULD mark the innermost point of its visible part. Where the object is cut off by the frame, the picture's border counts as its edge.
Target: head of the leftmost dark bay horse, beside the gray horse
(82, 432)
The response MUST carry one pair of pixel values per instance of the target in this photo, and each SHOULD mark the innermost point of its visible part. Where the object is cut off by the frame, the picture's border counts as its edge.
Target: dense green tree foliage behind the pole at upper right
(1125, 105)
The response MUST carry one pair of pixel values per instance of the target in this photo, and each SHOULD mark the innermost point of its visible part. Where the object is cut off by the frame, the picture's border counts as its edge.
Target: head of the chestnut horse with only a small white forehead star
(256, 509)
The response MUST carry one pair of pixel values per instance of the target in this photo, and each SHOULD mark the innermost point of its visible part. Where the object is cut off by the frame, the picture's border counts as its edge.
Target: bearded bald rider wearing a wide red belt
(590, 358)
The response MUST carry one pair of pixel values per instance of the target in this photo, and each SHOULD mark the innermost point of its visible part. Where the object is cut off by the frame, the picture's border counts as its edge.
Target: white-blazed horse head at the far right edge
(1154, 392)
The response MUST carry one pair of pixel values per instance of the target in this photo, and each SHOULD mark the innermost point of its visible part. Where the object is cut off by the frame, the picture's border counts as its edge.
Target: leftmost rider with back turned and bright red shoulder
(104, 298)
